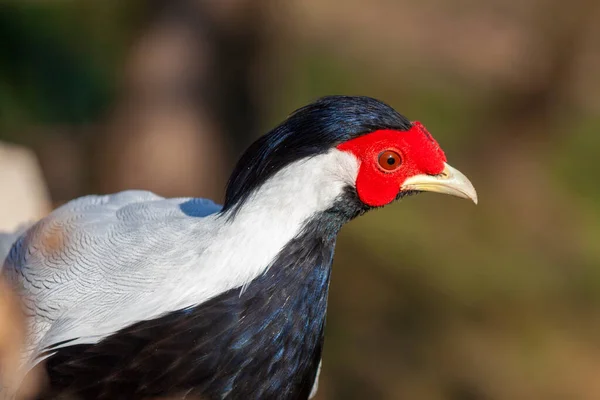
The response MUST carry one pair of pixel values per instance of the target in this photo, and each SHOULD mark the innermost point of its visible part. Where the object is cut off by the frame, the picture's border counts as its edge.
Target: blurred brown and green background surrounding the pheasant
(432, 298)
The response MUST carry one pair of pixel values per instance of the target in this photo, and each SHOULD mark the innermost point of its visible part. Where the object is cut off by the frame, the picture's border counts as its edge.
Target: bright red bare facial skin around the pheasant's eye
(420, 155)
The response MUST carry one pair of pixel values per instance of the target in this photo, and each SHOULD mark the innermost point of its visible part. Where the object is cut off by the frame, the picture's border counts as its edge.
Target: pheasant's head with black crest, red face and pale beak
(360, 143)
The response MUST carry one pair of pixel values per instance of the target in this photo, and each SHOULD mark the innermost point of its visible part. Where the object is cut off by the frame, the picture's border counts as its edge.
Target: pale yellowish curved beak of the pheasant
(451, 181)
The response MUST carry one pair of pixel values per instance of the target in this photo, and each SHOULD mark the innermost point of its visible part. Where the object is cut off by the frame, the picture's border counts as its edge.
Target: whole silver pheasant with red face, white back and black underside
(133, 295)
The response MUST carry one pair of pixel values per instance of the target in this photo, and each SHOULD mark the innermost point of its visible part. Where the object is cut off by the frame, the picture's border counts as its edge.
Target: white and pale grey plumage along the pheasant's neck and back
(101, 263)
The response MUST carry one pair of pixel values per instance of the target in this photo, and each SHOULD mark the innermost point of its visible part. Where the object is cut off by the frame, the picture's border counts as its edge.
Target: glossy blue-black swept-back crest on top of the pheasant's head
(309, 131)
